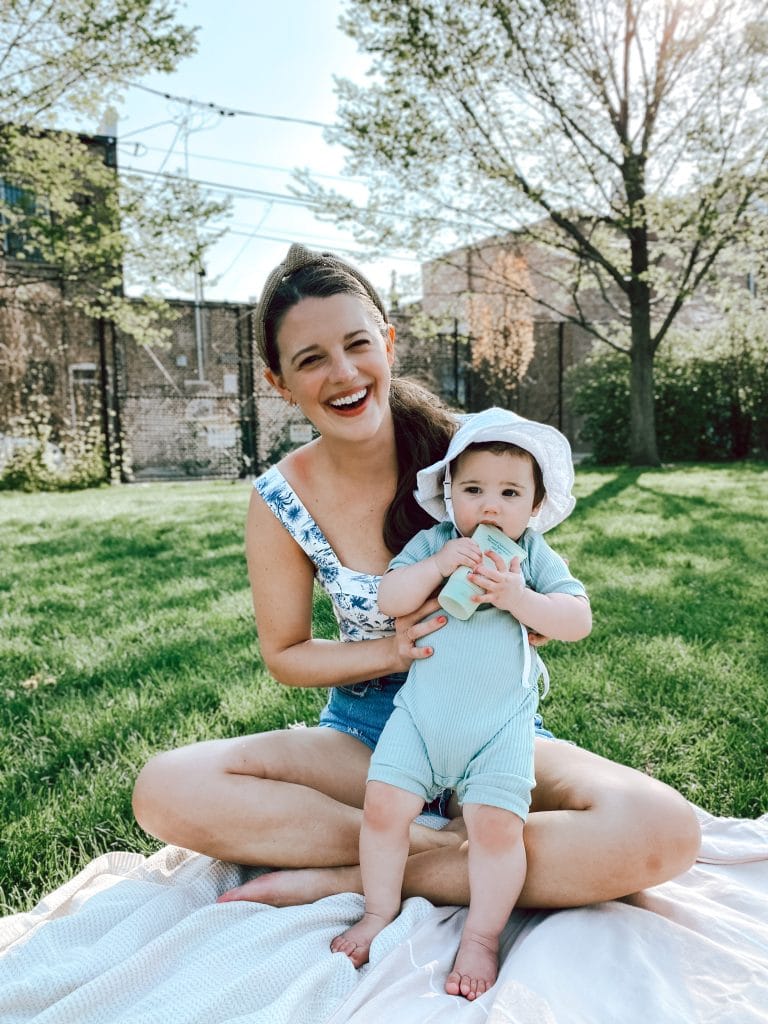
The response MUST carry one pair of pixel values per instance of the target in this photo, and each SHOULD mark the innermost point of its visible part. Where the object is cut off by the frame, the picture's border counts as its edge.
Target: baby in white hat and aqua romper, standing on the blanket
(464, 719)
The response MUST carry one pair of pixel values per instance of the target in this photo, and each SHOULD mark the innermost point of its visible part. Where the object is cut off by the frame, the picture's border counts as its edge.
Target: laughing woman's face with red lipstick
(335, 365)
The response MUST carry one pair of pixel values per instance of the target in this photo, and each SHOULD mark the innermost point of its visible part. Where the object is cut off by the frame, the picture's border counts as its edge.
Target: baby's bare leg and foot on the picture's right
(497, 872)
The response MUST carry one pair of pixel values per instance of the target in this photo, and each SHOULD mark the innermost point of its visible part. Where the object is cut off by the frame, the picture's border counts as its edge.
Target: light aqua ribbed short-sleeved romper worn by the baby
(464, 718)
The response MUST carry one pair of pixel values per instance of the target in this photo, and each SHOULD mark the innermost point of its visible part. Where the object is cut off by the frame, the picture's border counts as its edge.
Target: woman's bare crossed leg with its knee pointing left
(283, 799)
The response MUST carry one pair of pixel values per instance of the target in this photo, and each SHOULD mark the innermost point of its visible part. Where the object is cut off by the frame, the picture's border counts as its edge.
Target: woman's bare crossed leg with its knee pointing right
(598, 831)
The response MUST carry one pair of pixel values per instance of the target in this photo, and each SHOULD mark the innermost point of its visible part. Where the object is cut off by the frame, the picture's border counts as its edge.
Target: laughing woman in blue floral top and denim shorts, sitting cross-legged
(292, 799)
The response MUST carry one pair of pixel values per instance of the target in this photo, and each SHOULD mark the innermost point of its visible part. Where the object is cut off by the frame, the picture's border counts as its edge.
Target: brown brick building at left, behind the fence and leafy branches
(192, 406)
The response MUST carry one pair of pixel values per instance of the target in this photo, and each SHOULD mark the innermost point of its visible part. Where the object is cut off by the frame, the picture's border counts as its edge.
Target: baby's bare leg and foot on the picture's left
(385, 846)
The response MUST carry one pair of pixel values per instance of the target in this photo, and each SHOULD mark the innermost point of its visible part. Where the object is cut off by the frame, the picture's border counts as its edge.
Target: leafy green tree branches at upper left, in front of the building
(66, 215)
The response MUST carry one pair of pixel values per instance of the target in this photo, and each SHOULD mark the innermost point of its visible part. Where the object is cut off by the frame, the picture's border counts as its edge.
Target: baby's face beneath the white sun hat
(497, 490)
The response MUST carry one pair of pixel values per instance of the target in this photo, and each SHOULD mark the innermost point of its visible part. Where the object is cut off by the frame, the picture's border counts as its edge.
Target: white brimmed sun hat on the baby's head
(550, 449)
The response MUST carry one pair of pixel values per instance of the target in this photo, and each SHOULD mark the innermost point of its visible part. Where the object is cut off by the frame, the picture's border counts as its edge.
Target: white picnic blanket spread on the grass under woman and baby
(135, 941)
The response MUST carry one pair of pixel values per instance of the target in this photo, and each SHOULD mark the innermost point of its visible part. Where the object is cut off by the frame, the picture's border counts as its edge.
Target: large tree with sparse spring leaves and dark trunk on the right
(627, 138)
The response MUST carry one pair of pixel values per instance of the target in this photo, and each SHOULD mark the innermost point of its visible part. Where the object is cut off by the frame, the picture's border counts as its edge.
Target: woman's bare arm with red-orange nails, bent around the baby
(282, 588)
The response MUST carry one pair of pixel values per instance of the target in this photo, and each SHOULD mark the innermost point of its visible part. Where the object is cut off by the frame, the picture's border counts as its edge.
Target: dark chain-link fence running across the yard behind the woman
(198, 406)
